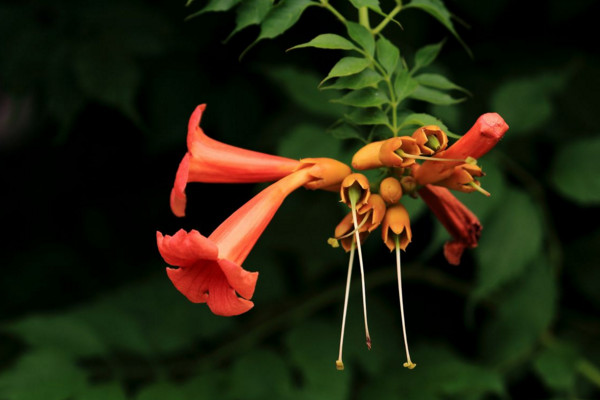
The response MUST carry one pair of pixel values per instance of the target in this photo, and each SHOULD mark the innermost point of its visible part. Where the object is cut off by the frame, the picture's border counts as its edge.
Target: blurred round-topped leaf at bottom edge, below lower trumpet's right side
(260, 374)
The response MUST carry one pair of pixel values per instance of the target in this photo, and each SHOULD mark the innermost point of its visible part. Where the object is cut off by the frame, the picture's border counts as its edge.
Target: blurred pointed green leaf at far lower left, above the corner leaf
(63, 334)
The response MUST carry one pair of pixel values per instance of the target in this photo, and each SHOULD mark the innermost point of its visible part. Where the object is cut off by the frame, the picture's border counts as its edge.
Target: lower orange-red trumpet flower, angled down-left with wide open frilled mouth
(209, 269)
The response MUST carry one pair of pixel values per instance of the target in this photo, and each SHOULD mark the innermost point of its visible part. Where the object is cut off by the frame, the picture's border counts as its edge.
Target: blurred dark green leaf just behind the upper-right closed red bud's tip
(526, 103)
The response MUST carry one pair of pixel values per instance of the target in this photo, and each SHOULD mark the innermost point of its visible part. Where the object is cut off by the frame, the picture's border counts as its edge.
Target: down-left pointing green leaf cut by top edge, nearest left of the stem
(282, 17)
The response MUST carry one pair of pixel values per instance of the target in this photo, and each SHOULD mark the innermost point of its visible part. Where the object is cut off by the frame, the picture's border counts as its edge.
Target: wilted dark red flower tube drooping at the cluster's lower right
(458, 220)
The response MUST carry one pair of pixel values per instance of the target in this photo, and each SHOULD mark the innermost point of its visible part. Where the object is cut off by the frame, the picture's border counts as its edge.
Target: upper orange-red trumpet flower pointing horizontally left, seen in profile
(211, 161)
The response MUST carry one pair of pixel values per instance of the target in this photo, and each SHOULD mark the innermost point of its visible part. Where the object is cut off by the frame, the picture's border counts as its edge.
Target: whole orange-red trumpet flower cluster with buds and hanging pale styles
(209, 269)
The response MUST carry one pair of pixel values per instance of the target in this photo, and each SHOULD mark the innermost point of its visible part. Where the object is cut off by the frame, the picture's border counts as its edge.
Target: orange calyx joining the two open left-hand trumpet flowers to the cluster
(328, 173)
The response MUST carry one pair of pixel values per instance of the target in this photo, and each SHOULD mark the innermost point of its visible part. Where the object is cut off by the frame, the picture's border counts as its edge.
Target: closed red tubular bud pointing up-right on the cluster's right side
(481, 138)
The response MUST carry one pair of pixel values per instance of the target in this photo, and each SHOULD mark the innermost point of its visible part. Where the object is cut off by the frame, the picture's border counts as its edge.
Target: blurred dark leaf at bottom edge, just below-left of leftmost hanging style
(312, 349)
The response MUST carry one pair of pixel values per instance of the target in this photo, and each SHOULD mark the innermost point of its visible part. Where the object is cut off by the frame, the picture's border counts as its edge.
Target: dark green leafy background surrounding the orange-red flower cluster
(94, 101)
